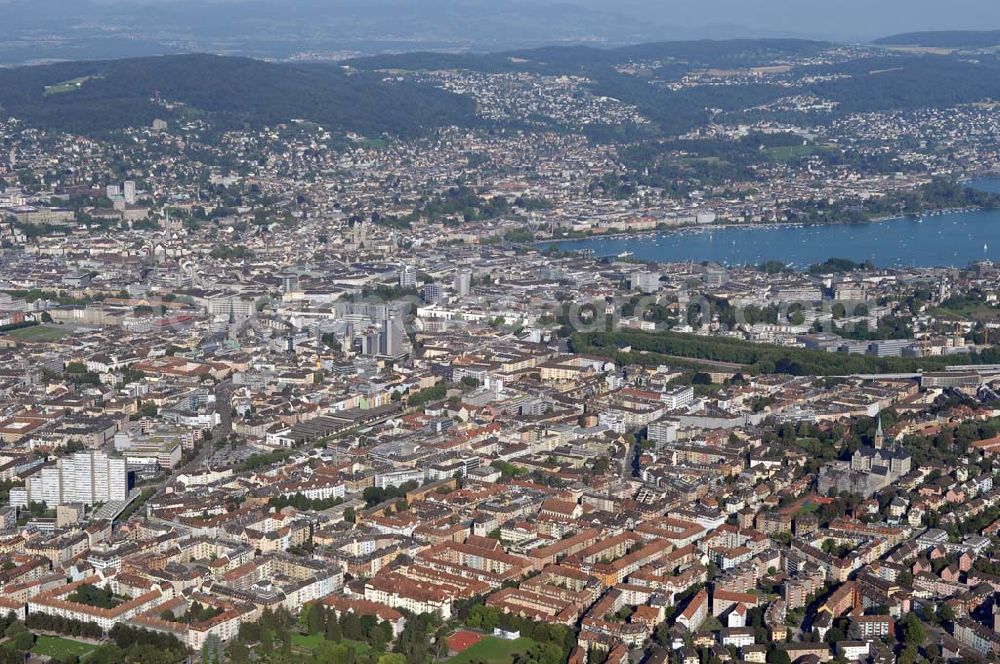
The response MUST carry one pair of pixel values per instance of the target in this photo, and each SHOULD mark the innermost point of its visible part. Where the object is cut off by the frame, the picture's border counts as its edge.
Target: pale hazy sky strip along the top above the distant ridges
(834, 19)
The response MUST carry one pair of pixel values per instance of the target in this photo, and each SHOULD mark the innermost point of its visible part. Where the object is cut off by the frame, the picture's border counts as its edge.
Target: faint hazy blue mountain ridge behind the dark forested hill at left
(297, 29)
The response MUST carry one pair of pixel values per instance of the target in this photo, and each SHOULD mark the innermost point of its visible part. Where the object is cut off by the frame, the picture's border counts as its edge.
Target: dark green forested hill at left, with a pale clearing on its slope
(90, 97)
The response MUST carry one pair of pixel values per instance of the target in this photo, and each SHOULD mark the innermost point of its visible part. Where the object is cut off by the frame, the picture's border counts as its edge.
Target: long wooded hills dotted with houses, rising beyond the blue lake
(873, 82)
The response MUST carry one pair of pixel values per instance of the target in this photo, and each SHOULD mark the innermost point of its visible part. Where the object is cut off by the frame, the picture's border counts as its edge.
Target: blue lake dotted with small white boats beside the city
(948, 239)
